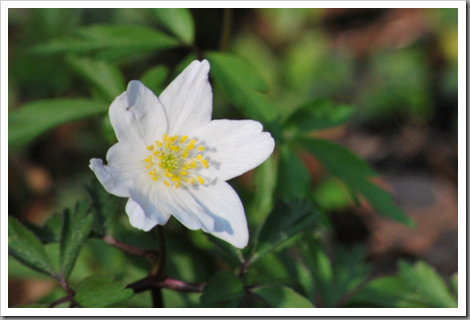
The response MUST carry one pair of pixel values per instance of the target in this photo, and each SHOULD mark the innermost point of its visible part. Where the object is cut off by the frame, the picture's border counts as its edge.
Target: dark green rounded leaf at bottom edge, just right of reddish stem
(223, 287)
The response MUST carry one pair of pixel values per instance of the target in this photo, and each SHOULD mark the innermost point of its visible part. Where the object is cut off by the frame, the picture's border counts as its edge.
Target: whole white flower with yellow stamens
(171, 159)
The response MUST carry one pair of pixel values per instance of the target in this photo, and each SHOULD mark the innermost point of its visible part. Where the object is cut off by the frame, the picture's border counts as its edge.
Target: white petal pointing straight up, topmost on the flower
(188, 99)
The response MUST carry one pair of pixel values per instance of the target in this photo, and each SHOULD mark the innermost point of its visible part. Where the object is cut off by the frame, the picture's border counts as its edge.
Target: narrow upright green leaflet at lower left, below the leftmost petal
(75, 229)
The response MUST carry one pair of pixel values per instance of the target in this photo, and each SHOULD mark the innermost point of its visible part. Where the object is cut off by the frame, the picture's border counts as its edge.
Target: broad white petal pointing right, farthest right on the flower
(235, 146)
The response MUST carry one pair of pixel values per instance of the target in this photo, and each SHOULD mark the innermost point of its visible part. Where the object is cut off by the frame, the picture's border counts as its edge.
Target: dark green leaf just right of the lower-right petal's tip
(285, 221)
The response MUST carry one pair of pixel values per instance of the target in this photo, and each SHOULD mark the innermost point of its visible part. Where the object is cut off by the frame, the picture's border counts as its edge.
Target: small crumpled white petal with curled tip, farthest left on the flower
(123, 165)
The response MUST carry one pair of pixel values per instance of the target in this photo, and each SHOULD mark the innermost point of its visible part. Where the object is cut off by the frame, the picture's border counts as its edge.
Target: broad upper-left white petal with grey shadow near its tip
(137, 116)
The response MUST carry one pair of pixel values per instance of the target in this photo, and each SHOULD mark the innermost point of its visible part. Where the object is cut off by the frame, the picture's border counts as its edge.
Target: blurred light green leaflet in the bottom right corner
(425, 280)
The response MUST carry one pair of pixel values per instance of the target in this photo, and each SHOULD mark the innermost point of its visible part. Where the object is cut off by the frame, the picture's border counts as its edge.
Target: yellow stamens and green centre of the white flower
(176, 161)
